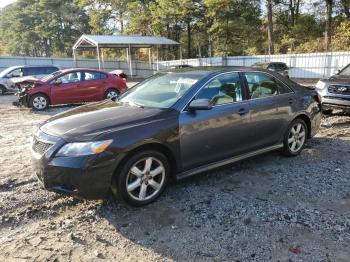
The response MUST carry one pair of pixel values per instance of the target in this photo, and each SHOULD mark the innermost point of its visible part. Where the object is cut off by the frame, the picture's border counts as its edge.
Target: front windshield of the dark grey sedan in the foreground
(162, 90)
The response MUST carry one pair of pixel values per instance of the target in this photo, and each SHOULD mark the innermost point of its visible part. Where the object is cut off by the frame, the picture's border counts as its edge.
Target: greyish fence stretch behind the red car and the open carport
(140, 69)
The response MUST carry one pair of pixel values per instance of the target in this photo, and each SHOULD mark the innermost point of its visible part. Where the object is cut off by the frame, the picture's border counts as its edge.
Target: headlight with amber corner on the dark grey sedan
(84, 148)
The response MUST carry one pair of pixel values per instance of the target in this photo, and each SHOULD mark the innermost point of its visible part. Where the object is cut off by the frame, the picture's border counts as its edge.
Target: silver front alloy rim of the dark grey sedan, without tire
(145, 179)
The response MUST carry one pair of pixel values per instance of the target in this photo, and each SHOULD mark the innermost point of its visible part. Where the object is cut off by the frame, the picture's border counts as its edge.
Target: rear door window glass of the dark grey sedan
(264, 85)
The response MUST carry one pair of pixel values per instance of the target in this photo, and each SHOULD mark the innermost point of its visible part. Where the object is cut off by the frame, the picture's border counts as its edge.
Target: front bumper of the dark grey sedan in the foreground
(84, 177)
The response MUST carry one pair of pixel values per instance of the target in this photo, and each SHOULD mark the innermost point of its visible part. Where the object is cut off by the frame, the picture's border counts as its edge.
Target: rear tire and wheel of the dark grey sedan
(295, 138)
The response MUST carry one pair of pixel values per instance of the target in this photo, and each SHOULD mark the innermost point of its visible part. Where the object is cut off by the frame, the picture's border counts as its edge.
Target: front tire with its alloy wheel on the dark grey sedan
(136, 185)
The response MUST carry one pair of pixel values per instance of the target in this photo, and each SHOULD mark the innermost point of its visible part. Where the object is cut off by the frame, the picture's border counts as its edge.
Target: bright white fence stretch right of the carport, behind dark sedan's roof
(311, 65)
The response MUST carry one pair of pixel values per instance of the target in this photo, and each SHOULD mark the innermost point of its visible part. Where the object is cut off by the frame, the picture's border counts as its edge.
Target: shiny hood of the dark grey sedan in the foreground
(86, 122)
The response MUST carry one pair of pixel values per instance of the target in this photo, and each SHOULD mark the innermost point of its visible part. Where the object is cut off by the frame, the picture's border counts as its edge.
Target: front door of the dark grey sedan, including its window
(211, 135)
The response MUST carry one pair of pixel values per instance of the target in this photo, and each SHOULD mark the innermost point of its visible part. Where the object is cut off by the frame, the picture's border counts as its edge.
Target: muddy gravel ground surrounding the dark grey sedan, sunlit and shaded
(267, 208)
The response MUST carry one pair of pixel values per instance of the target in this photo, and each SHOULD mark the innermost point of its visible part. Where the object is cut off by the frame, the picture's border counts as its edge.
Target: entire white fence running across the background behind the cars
(312, 65)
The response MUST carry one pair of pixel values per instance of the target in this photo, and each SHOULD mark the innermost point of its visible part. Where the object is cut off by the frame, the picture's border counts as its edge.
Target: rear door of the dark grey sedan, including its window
(272, 104)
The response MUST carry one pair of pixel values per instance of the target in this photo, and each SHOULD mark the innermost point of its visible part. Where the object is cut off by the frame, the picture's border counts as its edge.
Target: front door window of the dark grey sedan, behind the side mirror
(223, 89)
